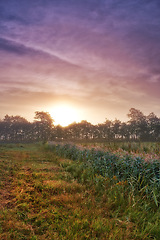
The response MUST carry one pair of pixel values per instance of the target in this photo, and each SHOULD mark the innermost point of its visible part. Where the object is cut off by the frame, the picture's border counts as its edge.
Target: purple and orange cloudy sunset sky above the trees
(94, 58)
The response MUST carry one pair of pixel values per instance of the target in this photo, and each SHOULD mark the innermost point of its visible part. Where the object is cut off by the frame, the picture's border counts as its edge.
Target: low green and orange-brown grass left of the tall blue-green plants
(43, 196)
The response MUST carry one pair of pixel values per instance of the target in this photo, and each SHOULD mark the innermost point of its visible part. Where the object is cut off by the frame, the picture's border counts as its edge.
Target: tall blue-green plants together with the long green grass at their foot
(127, 186)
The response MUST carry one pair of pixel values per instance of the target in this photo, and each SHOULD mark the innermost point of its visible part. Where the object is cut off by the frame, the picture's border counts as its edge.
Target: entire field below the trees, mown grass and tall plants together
(83, 191)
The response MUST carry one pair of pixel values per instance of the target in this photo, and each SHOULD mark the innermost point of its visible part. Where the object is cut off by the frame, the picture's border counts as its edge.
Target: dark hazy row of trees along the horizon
(138, 128)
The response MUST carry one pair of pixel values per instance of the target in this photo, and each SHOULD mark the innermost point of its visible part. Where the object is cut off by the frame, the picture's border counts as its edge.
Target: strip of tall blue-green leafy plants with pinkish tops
(141, 175)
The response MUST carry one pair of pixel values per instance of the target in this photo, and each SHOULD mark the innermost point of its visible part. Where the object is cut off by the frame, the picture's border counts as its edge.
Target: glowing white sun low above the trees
(64, 115)
